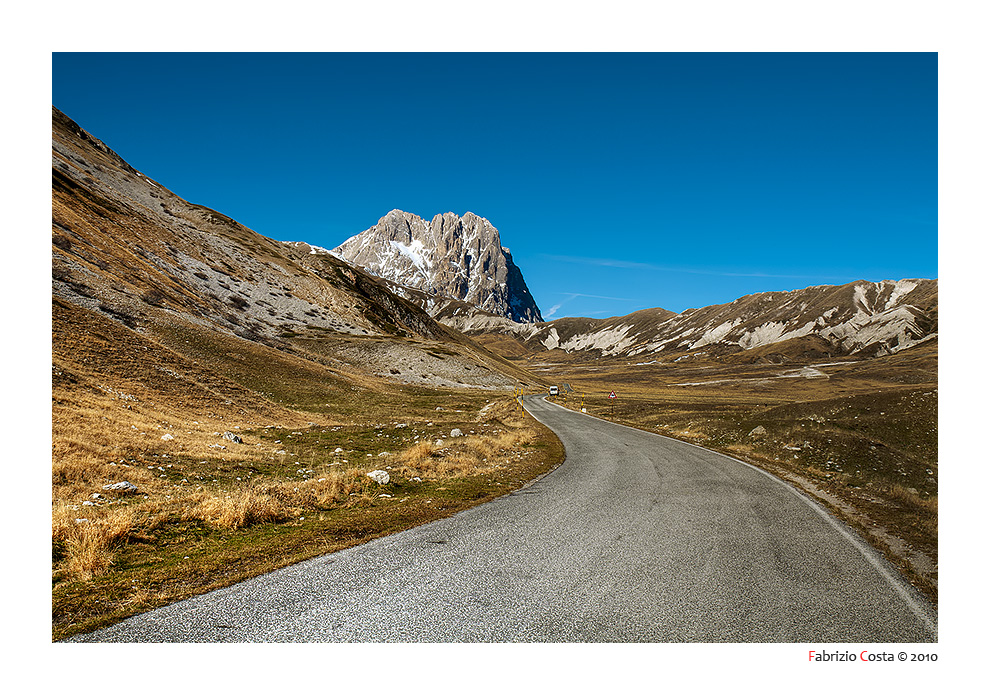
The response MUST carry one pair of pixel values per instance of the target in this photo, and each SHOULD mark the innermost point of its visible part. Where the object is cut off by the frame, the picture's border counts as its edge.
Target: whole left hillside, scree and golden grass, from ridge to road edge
(177, 332)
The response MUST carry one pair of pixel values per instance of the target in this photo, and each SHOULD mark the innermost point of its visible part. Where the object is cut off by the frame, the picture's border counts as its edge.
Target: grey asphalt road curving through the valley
(634, 538)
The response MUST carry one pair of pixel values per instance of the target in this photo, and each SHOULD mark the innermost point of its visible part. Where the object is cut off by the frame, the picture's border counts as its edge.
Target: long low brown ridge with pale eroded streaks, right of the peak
(863, 318)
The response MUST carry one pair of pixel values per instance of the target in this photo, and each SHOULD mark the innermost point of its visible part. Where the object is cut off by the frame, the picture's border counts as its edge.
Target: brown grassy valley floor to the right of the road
(858, 435)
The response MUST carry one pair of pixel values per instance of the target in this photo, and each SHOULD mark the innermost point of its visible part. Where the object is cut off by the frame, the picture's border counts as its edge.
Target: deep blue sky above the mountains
(619, 181)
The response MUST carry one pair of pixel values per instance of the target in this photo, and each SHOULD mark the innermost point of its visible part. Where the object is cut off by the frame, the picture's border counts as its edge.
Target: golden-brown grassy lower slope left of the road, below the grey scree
(151, 410)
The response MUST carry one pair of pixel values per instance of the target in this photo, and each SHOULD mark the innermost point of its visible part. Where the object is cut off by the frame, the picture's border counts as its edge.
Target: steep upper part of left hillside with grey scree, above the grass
(125, 247)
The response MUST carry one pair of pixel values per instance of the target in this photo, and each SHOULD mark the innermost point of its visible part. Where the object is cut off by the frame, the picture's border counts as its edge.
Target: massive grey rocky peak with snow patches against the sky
(448, 259)
